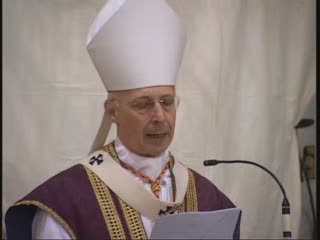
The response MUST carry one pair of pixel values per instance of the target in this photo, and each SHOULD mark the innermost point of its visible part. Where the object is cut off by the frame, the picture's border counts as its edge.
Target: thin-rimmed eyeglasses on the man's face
(144, 105)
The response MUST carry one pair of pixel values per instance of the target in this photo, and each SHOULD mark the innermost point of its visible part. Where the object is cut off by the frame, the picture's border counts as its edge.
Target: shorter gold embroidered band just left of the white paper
(134, 222)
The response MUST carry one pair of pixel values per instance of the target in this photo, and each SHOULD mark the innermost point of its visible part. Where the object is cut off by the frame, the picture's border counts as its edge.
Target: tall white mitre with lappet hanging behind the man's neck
(135, 44)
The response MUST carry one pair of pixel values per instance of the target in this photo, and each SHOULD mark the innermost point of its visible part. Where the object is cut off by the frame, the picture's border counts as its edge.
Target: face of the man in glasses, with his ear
(145, 118)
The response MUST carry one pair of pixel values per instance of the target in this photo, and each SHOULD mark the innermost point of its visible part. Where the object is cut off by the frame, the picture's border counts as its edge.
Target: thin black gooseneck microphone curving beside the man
(285, 202)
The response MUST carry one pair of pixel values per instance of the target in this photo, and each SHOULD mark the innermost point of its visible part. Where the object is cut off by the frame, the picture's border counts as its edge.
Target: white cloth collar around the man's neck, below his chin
(151, 167)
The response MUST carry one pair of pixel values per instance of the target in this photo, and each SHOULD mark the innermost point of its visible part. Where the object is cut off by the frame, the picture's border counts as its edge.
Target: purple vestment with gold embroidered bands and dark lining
(88, 209)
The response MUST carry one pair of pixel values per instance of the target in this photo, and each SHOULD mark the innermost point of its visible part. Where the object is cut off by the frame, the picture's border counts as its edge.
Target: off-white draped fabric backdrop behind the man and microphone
(247, 75)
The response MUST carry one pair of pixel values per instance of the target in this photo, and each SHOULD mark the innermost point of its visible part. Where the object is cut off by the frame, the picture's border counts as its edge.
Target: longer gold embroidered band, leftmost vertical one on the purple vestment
(107, 207)
